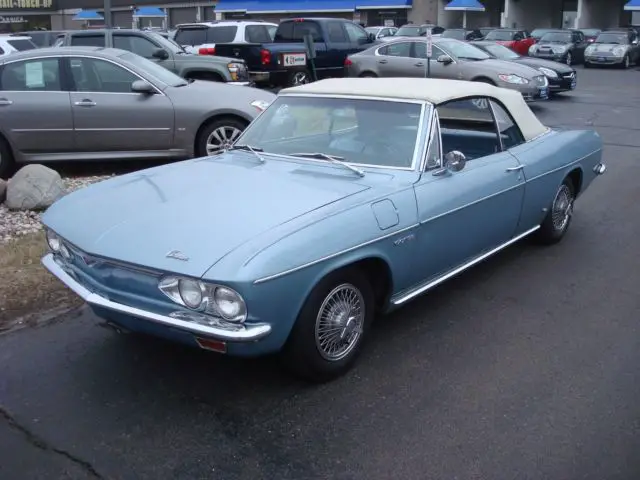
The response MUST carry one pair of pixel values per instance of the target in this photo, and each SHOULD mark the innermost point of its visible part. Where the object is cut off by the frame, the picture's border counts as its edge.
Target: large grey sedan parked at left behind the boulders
(90, 103)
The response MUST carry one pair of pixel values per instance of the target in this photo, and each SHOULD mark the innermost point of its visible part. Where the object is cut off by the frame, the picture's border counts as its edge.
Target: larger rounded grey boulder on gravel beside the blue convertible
(34, 187)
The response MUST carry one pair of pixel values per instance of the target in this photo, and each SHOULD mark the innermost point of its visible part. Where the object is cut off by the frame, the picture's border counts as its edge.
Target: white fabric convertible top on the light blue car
(431, 90)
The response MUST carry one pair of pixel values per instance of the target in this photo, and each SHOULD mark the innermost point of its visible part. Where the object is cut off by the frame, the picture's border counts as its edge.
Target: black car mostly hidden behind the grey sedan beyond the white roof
(561, 77)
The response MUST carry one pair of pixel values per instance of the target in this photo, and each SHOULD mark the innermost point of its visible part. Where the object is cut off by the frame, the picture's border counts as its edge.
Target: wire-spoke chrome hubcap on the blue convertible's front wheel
(339, 322)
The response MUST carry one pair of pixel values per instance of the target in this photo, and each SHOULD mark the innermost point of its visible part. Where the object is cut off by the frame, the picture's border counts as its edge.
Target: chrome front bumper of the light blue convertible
(224, 331)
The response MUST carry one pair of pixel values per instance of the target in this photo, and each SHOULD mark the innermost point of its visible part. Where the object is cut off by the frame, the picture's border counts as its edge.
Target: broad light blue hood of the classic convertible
(203, 208)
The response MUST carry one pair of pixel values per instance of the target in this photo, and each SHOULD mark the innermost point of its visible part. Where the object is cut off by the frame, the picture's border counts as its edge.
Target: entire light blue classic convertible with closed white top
(345, 198)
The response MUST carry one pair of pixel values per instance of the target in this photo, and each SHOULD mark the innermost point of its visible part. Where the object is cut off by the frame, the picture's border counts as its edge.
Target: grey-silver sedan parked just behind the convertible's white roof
(452, 59)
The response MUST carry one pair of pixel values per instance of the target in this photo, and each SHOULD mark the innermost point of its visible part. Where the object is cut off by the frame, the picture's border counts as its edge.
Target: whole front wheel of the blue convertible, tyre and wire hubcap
(328, 334)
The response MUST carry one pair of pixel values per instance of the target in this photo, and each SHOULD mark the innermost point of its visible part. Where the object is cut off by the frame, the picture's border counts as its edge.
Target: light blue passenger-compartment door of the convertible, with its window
(466, 213)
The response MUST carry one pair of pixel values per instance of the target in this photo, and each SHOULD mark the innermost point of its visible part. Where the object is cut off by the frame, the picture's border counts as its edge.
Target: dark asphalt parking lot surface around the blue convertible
(526, 367)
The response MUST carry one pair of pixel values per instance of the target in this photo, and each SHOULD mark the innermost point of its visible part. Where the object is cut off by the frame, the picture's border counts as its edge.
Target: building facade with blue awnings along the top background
(20, 15)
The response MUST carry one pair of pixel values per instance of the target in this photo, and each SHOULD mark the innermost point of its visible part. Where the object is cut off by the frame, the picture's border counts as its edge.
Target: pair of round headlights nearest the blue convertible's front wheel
(207, 298)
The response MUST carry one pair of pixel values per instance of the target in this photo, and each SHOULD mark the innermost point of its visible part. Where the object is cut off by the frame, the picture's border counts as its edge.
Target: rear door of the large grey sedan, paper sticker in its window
(35, 108)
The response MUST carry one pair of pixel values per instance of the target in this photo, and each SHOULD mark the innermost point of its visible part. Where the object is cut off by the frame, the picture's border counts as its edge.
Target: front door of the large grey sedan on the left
(109, 117)
